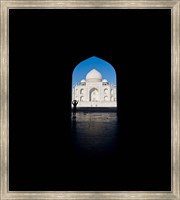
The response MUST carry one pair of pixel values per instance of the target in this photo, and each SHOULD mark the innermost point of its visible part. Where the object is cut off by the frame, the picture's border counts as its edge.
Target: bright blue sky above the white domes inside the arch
(94, 62)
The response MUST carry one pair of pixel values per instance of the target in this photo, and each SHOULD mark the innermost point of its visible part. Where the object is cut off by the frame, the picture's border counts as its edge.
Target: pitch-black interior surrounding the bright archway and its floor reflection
(46, 50)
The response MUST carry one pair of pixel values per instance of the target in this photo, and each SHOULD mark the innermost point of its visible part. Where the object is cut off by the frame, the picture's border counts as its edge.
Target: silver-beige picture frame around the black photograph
(174, 5)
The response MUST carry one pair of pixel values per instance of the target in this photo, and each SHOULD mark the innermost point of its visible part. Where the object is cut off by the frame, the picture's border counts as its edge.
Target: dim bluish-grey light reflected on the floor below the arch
(94, 133)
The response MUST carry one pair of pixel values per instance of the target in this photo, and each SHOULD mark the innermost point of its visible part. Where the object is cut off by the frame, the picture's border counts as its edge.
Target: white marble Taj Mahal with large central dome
(94, 91)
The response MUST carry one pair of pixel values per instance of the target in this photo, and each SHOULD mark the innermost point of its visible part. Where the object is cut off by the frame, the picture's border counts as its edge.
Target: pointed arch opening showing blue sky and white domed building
(94, 83)
